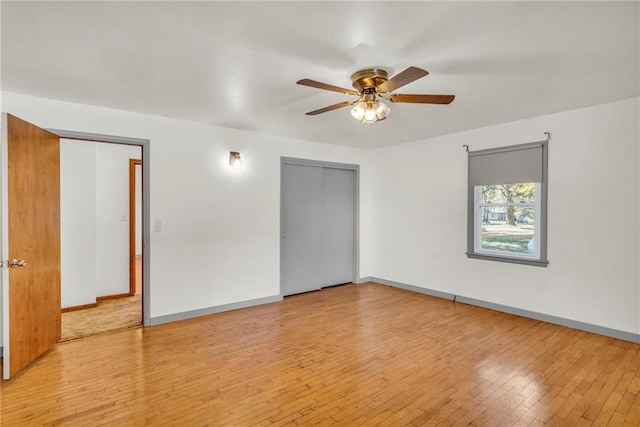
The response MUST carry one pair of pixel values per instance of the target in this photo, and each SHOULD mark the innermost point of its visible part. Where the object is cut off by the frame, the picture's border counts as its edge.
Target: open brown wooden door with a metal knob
(33, 159)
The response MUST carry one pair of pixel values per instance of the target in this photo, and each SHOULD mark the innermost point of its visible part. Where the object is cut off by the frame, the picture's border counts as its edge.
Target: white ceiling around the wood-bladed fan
(235, 64)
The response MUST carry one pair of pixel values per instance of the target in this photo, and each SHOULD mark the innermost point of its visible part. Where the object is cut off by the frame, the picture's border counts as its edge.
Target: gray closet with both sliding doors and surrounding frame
(318, 221)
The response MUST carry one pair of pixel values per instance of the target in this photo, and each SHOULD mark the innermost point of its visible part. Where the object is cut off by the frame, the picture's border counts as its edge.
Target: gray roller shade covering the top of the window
(506, 165)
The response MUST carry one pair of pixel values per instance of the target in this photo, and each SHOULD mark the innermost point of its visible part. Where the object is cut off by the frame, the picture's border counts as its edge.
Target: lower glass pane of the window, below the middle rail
(508, 229)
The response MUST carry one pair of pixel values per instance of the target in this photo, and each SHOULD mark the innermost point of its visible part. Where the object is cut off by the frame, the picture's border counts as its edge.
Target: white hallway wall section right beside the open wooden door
(77, 222)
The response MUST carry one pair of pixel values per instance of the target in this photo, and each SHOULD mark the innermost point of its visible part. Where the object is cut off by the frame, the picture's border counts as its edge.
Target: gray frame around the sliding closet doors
(356, 226)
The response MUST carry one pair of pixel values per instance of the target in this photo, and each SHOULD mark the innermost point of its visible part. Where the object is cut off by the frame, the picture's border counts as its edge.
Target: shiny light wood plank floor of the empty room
(350, 355)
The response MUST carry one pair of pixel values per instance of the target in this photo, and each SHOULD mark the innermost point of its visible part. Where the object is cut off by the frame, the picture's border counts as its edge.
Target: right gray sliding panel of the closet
(338, 226)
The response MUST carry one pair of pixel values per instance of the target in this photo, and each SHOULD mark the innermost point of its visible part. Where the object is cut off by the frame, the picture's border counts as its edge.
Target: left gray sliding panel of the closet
(301, 229)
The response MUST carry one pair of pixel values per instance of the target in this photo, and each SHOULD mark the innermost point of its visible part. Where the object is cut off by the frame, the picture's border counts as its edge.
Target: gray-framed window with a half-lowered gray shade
(507, 204)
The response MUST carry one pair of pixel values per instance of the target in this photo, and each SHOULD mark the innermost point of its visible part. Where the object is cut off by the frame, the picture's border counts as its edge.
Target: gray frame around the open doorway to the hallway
(146, 203)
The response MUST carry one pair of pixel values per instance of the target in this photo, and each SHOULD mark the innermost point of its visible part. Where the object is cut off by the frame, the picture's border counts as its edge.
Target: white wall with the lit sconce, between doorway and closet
(219, 242)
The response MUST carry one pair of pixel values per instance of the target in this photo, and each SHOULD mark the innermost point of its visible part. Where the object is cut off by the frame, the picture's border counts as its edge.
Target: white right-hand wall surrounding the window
(418, 217)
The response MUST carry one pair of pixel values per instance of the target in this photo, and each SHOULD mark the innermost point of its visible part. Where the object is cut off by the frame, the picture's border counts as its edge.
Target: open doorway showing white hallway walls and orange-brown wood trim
(101, 239)
